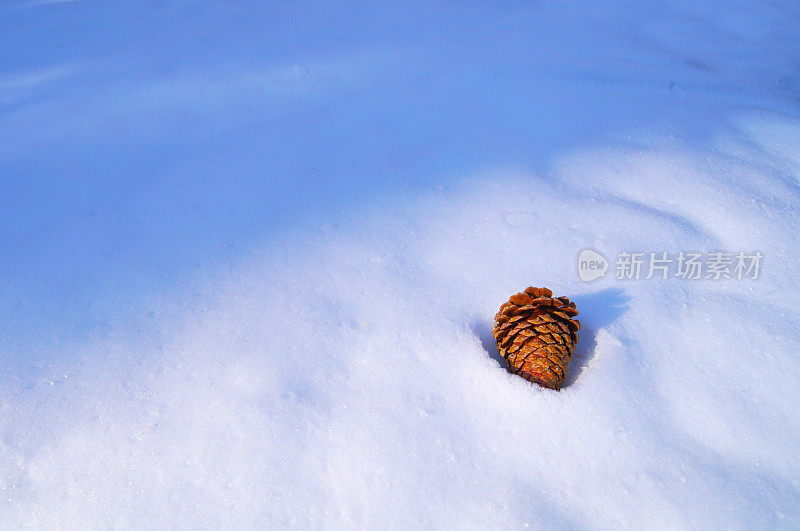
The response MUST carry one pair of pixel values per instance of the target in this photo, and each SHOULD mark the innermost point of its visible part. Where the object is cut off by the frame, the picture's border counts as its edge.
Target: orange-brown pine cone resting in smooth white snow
(536, 335)
